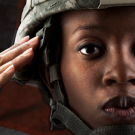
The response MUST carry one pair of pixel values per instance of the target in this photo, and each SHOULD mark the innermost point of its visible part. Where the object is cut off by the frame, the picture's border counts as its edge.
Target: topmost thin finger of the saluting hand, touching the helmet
(23, 40)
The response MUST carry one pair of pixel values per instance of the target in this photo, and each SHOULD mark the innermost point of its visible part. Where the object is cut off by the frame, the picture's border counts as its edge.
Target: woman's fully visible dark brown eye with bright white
(90, 49)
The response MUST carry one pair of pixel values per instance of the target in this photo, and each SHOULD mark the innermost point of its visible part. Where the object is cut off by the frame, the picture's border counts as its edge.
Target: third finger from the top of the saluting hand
(19, 61)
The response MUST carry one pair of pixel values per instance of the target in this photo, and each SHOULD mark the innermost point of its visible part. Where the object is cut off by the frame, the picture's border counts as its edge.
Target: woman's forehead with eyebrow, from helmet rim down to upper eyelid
(118, 21)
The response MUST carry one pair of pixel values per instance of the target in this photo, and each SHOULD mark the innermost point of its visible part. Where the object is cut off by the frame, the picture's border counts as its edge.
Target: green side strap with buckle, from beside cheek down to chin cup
(61, 116)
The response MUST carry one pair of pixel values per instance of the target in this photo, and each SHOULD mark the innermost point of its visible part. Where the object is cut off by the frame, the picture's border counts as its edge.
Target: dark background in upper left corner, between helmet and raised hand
(10, 14)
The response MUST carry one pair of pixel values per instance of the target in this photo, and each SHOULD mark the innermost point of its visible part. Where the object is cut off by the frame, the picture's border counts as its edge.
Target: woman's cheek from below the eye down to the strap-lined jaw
(82, 82)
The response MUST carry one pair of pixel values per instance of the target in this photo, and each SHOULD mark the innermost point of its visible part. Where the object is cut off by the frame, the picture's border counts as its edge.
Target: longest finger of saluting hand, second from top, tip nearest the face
(10, 55)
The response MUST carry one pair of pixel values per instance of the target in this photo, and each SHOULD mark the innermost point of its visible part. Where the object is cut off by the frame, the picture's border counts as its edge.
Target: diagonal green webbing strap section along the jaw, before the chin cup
(68, 119)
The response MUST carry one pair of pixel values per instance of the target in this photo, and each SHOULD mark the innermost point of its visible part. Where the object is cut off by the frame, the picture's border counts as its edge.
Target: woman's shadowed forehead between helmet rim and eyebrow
(100, 17)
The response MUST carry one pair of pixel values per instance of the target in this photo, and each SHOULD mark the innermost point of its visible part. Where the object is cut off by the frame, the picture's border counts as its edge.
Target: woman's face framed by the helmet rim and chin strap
(98, 65)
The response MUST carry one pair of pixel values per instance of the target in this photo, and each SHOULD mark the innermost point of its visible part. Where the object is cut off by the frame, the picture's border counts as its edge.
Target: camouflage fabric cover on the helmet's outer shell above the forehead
(36, 11)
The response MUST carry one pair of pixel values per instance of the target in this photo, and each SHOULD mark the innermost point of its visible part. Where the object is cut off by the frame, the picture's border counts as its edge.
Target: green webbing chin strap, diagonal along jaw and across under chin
(64, 116)
